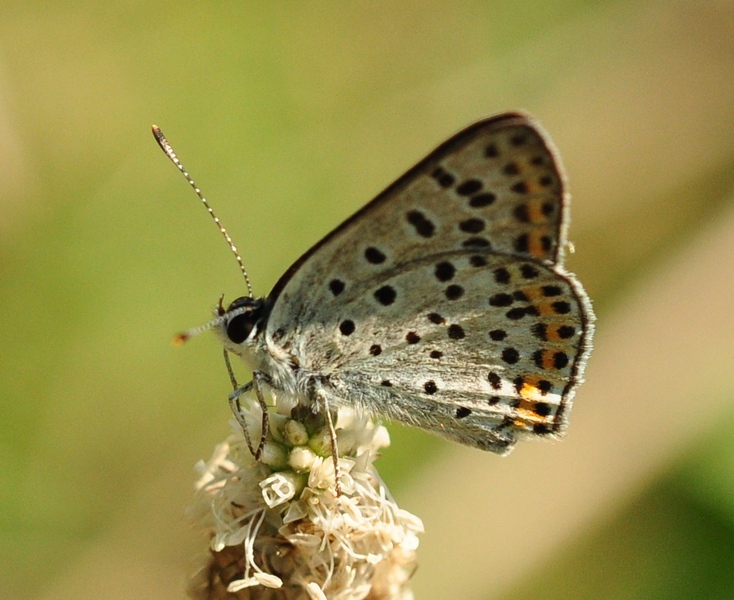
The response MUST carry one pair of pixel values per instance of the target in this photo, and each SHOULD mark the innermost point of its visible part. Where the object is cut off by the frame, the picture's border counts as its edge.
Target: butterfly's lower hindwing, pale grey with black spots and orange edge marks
(477, 362)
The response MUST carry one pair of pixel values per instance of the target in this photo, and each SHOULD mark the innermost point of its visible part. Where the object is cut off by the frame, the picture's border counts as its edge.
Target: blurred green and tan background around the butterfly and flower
(291, 116)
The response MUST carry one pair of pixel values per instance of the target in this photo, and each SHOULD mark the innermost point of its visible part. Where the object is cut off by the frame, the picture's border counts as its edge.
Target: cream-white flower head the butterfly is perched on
(279, 524)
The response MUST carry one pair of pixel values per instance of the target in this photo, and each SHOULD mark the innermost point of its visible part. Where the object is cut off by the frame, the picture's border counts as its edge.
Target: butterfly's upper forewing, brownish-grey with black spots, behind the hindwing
(495, 186)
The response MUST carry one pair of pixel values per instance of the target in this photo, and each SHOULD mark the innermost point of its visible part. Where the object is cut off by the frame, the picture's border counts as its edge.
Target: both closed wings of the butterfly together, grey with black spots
(443, 303)
